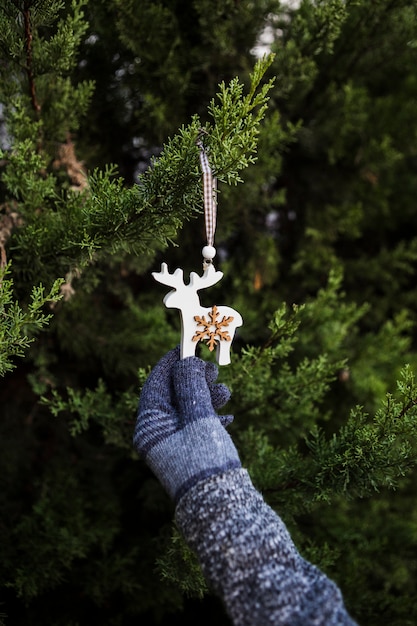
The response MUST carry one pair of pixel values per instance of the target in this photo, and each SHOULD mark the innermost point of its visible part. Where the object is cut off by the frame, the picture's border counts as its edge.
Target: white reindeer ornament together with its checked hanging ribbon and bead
(216, 325)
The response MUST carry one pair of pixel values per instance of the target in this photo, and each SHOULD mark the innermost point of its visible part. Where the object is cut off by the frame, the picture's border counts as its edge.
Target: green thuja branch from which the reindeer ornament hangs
(110, 217)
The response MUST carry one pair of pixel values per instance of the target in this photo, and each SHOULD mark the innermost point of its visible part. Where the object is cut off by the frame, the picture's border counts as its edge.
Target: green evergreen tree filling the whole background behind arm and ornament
(102, 104)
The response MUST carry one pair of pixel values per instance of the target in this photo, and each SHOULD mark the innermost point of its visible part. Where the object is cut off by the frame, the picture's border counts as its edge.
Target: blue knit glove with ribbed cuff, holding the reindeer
(178, 431)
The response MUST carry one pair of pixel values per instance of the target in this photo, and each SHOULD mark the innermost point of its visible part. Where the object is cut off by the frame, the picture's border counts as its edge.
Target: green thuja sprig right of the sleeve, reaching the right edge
(363, 456)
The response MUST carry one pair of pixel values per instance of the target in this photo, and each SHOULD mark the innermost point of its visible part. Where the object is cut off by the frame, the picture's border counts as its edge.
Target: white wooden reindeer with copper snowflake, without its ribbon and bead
(215, 326)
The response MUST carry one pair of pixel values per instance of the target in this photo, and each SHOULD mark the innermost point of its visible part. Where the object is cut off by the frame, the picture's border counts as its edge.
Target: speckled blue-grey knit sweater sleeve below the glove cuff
(249, 559)
